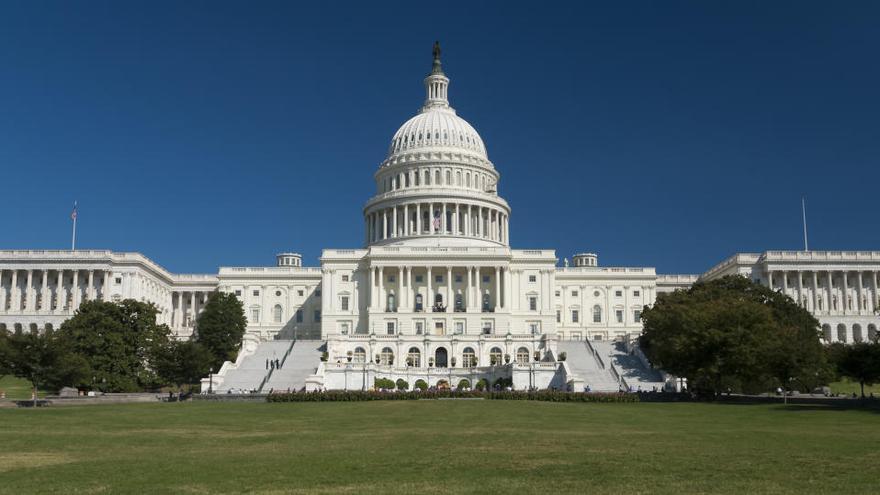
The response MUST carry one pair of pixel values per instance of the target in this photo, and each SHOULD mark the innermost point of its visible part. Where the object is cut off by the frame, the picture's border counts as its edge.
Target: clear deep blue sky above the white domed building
(667, 134)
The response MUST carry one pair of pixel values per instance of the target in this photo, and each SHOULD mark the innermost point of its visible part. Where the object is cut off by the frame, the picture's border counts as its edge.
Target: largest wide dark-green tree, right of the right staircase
(732, 334)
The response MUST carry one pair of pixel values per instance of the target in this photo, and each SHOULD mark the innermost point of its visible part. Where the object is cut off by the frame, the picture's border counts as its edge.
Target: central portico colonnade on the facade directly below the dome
(471, 288)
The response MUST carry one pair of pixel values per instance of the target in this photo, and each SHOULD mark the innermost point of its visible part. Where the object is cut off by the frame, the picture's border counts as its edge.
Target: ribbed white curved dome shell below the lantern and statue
(437, 129)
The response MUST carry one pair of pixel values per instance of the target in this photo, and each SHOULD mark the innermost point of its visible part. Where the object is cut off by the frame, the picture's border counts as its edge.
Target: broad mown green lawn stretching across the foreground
(439, 447)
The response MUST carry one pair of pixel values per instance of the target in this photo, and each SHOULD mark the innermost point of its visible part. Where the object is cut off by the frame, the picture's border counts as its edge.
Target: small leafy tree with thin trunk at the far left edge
(43, 360)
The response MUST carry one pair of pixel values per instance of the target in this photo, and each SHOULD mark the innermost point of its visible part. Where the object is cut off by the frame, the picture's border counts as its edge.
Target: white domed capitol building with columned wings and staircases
(435, 293)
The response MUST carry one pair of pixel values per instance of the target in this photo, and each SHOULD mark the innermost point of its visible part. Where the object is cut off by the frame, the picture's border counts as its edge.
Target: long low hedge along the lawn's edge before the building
(539, 395)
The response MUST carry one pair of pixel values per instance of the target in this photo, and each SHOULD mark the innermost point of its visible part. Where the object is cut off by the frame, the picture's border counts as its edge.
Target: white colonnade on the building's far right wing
(829, 292)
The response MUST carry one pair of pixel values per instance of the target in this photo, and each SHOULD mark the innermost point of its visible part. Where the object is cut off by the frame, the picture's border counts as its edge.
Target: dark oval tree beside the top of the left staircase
(221, 326)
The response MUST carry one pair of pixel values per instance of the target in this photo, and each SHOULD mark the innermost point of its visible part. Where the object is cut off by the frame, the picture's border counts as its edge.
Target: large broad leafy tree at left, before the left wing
(120, 341)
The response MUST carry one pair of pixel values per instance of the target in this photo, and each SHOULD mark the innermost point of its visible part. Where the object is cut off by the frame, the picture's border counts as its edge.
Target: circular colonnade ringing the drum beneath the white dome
(414, 219)
